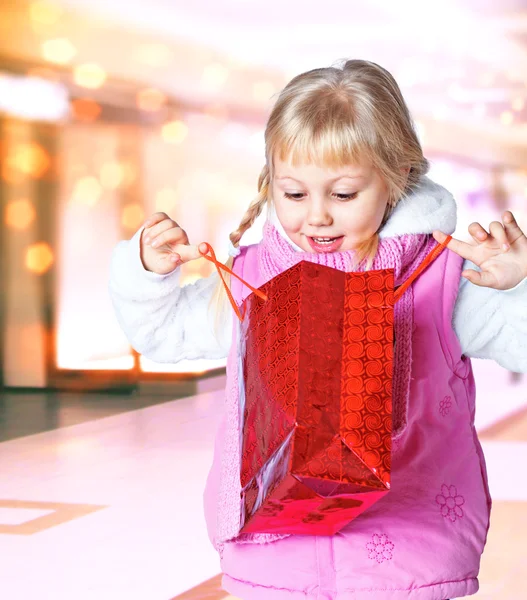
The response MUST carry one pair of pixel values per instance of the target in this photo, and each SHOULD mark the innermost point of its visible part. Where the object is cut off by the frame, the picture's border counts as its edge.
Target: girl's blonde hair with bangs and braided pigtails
(332, 117)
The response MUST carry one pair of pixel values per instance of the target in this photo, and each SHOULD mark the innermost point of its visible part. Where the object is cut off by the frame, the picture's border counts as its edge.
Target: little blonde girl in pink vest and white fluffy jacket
(345, 186)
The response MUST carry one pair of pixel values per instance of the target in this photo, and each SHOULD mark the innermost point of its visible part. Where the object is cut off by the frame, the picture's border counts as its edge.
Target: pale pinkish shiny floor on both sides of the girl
(111, 508)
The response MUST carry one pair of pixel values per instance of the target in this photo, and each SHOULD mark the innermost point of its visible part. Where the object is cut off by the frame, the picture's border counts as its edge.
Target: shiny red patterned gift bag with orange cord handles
(316, 396)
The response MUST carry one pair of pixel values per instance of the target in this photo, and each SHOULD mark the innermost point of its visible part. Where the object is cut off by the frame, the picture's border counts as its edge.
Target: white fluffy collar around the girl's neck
(429, 207)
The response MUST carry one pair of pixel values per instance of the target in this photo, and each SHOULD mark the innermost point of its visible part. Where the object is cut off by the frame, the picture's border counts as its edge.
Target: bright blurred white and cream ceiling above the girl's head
(459, 62)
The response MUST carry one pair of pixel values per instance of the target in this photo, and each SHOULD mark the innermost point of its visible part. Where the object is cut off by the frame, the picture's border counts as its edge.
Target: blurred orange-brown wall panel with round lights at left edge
(28, 193)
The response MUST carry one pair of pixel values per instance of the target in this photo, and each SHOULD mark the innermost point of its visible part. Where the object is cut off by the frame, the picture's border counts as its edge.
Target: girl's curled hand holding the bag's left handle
(164, 245)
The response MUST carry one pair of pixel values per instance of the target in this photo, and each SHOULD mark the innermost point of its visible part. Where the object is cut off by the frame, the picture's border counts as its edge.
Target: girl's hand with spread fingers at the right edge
(501, 254)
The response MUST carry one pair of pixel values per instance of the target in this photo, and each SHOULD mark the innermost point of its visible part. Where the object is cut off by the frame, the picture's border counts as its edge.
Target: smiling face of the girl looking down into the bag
(322, 210)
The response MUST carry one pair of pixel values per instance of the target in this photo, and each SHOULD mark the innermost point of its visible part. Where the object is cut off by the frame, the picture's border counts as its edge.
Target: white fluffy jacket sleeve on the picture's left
(162, 320)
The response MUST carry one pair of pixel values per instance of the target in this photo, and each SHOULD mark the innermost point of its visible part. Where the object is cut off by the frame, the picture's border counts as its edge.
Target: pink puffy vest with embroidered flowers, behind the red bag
(424, 540)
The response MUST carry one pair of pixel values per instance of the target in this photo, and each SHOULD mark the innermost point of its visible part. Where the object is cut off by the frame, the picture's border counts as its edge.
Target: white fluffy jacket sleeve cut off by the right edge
(492, 323)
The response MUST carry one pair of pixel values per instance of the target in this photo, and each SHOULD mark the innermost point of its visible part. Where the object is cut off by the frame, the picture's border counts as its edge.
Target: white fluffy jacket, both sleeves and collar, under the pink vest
(168, 323)
